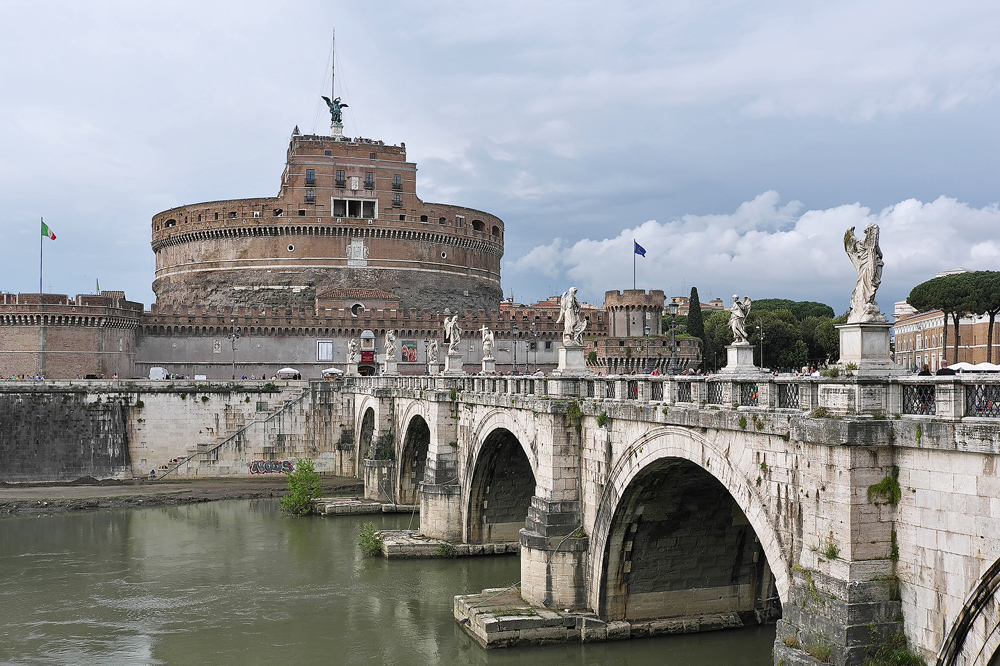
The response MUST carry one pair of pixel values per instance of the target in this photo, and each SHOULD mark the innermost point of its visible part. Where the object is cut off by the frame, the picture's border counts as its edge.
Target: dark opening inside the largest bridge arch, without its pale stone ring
(679, 545)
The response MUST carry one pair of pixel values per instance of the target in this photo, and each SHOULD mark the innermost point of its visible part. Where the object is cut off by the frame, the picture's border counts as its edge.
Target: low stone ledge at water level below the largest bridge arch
(498, 618)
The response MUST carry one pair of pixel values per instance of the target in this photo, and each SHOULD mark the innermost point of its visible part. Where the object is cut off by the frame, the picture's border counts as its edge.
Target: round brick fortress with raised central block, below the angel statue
(346, 216)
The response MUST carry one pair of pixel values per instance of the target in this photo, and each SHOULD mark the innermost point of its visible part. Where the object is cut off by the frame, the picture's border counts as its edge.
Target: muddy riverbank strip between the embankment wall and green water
(89, 494)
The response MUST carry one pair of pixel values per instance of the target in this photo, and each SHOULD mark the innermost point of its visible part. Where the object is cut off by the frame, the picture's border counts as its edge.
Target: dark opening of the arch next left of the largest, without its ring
(501, 490)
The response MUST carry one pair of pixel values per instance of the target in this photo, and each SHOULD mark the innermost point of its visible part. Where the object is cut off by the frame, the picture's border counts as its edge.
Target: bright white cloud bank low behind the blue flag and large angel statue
(767, 249)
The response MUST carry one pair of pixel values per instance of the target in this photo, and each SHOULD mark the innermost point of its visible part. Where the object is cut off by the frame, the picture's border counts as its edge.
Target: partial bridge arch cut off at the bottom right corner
(974, 639)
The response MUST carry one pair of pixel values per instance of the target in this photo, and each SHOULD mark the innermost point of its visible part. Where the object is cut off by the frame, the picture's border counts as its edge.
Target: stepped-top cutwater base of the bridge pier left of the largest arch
(553, 555)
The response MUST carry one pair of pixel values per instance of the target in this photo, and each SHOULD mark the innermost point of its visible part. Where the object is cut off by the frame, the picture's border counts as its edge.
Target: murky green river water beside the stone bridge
(241, 583)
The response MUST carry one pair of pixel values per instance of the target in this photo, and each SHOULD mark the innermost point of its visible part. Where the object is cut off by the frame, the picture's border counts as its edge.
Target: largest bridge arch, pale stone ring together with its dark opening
(692, 474)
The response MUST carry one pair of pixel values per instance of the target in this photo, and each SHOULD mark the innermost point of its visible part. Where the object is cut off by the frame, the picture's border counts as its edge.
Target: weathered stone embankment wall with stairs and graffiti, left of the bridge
(57, 431)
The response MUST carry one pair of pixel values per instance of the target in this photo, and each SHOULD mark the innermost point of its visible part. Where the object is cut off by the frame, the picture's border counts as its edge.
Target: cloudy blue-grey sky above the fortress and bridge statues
(735, 141)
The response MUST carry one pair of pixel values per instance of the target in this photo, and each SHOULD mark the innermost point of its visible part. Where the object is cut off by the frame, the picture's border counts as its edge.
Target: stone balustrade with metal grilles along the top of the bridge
(957, 396)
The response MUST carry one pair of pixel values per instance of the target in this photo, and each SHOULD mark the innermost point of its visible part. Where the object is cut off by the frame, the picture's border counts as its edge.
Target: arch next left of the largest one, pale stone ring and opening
(499, 480)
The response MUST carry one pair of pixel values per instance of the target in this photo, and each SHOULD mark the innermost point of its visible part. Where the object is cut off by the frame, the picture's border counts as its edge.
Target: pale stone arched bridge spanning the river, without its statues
(856, 510)
